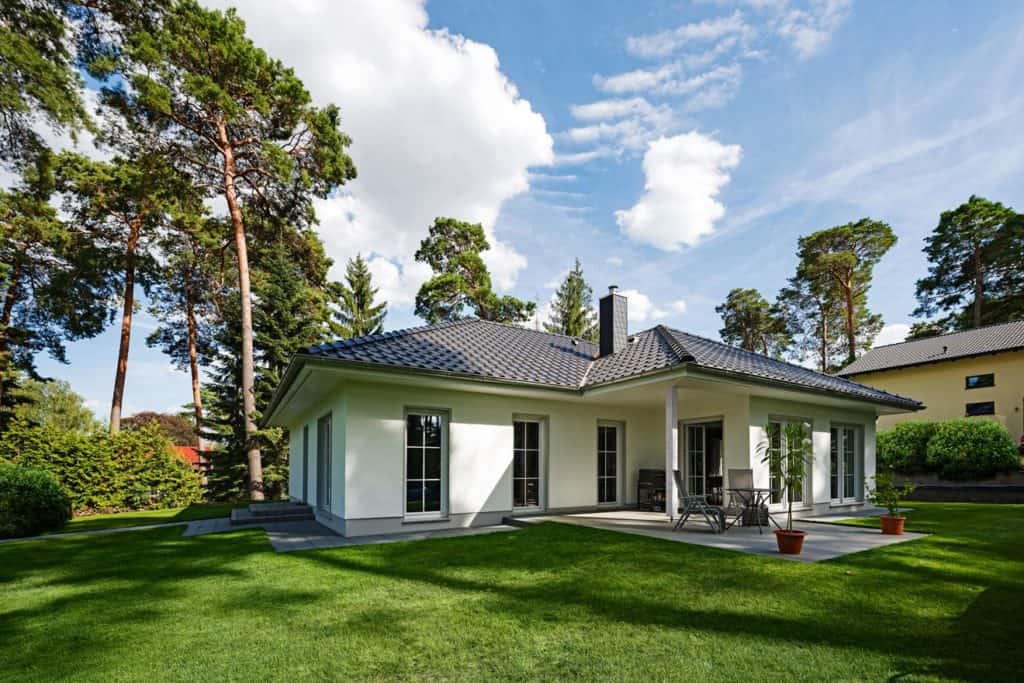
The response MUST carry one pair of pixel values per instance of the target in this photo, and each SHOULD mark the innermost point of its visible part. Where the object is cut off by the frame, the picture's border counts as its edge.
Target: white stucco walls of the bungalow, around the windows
(368, 494)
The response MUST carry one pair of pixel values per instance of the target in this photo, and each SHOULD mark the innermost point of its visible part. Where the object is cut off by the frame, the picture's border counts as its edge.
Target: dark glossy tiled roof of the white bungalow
(474, 349)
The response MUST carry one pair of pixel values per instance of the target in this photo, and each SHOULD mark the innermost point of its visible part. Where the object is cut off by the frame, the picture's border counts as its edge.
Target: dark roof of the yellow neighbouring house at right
(992, 339)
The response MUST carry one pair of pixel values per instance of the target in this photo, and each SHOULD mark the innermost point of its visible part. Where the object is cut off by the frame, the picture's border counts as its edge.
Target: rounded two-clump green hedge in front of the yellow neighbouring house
(954, 449)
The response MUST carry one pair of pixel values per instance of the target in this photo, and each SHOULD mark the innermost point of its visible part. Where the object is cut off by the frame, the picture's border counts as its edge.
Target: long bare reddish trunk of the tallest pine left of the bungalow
(248, 365)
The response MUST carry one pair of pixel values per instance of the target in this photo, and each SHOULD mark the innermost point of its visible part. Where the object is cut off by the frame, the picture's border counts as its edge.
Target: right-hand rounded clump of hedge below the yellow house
(971, 450)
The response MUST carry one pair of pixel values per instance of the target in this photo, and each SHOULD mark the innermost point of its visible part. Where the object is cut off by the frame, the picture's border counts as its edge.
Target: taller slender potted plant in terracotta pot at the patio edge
(789, 462)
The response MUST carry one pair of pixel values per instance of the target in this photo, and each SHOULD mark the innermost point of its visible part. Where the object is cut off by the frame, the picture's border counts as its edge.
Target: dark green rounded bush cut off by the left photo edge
(31, 501)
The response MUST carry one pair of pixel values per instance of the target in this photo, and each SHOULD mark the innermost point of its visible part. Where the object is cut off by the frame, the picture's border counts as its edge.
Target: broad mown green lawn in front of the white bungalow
(549, 603)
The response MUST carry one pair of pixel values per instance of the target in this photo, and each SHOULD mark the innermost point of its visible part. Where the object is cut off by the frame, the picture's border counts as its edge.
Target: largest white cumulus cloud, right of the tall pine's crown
(438, 129)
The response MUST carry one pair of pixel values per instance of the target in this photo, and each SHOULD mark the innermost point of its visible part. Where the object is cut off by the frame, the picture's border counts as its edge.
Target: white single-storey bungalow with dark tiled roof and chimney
(465, 423)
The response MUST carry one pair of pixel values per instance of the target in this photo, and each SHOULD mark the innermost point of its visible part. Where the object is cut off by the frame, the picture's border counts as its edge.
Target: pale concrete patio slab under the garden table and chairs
(824, 541)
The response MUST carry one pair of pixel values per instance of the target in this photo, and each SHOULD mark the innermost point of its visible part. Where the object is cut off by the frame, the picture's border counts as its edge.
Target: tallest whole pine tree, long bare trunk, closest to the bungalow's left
(246, 129)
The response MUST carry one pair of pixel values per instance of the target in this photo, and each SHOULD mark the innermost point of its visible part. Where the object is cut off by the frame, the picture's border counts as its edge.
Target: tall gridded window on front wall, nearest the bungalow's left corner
(425, 466)
